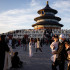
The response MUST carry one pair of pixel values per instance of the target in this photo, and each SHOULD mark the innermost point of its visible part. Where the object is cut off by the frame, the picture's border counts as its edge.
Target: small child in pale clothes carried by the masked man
(54, 47)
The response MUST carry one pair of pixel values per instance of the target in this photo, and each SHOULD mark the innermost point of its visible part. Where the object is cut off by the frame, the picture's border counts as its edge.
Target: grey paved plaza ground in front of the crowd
(40, 60)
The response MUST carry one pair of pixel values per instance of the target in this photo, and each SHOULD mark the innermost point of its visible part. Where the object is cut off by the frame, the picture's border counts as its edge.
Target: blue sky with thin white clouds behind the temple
(20, 14)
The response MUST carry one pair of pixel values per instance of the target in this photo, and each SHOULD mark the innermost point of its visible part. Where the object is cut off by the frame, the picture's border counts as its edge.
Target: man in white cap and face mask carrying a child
(62, 54)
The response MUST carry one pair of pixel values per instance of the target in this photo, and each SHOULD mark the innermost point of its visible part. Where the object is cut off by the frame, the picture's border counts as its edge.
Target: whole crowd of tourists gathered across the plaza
(60, 48)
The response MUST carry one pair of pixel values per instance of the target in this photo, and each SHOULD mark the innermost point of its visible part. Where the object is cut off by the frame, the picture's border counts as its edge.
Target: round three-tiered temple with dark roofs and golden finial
(47, 19)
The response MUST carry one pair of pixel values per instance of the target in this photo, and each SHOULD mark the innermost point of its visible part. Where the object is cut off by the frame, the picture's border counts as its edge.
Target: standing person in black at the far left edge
(3, 49)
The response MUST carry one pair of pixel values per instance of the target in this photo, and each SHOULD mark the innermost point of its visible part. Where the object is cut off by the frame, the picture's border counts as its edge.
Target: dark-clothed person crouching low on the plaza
(16, 63)
